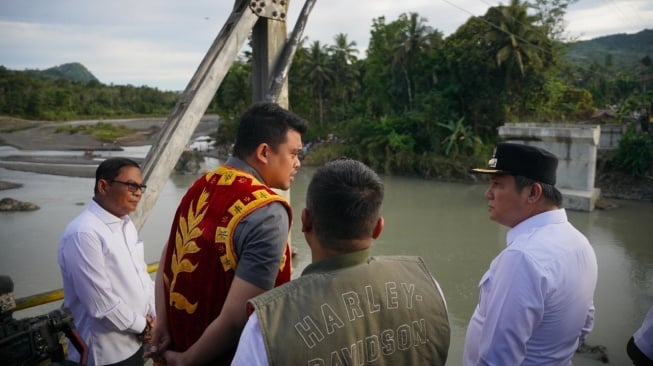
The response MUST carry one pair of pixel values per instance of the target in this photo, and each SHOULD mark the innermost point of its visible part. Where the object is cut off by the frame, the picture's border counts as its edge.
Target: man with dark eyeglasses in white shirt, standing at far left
(105, 280)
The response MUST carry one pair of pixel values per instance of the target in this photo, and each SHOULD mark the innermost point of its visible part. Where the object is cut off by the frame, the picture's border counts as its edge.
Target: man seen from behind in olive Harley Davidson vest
(348, 308)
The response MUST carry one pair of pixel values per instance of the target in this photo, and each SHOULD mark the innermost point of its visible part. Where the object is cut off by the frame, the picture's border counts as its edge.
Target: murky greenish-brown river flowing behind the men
(445, 223)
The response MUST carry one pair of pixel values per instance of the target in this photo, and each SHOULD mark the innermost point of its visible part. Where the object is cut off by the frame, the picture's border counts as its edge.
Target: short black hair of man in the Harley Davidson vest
(344, 200)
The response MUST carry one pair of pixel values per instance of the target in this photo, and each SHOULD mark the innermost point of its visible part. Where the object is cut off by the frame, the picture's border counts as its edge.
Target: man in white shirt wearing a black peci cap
(536, 299)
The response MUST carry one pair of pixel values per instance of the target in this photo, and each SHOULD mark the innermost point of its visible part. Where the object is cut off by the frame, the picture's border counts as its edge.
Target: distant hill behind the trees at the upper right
(622, 51)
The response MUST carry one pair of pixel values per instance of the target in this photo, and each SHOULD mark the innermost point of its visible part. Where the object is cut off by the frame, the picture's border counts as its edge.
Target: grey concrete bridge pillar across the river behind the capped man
(575, 146)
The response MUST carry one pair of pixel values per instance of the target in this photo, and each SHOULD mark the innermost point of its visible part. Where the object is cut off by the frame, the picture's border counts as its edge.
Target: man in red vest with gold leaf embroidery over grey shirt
(228, 242)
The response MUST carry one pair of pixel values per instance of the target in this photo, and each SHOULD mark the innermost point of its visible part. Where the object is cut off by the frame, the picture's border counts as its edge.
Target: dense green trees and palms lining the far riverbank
(414, 101)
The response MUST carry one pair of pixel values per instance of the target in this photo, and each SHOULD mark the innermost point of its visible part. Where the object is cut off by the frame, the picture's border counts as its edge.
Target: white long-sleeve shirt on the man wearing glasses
(106, 284)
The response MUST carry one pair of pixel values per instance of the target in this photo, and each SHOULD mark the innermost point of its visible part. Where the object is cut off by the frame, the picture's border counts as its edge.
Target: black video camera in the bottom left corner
(31, 341)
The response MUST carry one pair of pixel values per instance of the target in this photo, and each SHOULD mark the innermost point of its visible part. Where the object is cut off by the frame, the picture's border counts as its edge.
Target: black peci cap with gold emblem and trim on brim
(528, 161)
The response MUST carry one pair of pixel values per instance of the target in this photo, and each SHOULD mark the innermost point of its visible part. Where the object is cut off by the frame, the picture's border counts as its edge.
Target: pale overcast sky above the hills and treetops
(160, 43)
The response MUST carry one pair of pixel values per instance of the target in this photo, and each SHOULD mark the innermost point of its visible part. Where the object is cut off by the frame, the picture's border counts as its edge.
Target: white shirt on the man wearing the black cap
(536, 299)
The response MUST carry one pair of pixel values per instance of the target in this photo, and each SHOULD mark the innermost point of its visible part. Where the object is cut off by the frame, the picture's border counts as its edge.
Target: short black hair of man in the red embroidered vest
(265, 122)
